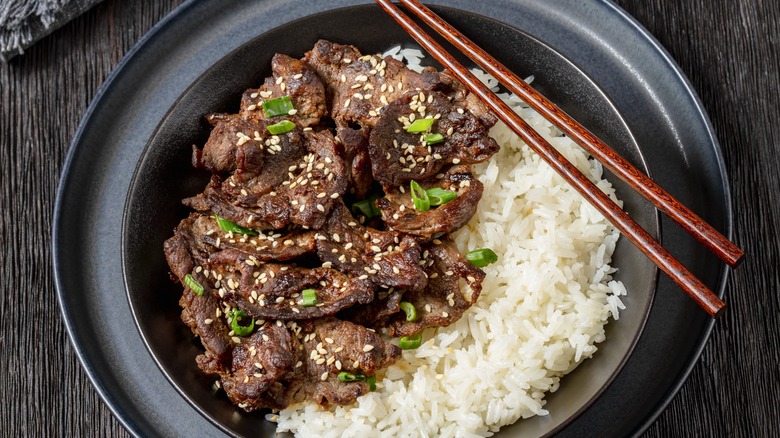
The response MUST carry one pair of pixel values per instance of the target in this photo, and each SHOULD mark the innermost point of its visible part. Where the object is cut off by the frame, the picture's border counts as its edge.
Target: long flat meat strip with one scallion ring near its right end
(273, 291)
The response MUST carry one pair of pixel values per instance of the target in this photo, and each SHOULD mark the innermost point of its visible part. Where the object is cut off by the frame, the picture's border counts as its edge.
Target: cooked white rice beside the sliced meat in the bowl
(542, 311)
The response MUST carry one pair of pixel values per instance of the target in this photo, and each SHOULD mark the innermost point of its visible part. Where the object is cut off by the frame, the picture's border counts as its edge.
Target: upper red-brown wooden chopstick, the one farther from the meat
(641, 183)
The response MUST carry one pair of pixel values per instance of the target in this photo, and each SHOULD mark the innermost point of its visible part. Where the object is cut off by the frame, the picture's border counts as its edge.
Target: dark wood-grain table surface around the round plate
(728, 50)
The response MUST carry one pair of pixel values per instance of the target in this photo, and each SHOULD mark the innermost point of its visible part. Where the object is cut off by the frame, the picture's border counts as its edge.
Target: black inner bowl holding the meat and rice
(164, 176)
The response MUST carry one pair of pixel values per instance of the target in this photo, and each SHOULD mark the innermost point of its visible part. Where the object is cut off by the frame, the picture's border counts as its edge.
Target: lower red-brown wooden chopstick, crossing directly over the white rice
(704, 297)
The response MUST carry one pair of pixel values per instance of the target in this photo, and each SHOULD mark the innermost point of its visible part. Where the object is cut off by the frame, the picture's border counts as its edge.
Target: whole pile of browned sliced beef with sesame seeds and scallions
(312, 247)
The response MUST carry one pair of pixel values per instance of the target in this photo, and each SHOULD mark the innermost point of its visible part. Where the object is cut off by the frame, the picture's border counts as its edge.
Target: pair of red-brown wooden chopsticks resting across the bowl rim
(694, 225)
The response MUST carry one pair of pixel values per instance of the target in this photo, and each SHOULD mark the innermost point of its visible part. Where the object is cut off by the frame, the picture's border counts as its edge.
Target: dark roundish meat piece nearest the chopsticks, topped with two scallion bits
(399, 156)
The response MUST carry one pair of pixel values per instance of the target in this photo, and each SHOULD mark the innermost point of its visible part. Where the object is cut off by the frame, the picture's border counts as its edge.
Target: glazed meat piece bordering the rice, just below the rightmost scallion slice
(443, 301)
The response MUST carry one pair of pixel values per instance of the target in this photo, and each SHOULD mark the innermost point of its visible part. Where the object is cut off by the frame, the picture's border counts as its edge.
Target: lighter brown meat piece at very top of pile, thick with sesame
(360, 87)
